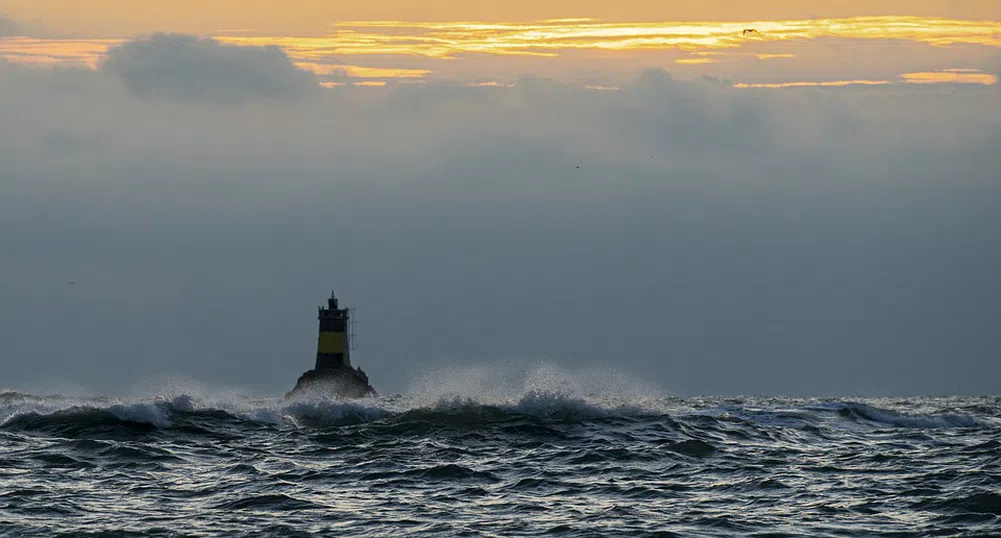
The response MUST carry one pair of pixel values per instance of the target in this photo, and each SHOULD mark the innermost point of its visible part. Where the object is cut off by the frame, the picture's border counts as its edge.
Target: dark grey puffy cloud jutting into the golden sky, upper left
(186, 68)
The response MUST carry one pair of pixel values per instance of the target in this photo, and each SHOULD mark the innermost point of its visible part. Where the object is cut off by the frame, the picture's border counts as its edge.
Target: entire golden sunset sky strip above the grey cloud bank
(599, 44)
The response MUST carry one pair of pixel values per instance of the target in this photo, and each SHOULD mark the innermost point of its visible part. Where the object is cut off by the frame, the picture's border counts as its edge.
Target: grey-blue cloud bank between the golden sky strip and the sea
(711, 240)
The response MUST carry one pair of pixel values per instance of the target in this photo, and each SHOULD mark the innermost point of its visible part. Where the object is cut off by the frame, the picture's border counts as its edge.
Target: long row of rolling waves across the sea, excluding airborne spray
(536, 411)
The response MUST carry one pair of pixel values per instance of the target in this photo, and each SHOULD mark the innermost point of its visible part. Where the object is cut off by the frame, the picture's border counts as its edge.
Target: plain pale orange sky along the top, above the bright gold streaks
(123, 19)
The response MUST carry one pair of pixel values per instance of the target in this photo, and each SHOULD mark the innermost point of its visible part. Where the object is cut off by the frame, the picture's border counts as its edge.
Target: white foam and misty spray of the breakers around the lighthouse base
(530, 388)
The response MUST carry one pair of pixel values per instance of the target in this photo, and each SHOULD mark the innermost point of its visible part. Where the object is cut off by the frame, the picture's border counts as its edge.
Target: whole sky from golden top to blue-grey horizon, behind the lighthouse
(807, 210)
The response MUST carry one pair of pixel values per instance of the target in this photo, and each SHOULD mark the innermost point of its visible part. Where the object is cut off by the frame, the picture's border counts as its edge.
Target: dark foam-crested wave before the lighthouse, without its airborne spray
(70, 417)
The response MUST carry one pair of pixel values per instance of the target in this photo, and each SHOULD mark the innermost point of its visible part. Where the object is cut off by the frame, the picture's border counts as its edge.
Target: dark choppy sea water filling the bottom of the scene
(541, 463)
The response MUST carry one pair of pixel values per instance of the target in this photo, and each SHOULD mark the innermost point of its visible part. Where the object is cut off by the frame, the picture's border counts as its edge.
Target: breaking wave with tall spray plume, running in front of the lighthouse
(467, 397)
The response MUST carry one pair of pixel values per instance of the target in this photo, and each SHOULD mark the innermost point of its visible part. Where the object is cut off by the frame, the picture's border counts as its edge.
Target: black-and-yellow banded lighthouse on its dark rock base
(334, 376)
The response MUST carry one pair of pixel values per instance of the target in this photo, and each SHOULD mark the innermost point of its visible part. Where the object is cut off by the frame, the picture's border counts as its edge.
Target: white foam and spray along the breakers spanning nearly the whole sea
(542, 391)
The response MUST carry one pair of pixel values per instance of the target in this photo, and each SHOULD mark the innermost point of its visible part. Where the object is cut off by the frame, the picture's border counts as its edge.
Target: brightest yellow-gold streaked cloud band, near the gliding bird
(449, 40)
